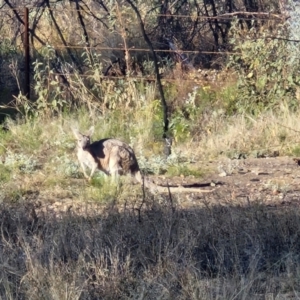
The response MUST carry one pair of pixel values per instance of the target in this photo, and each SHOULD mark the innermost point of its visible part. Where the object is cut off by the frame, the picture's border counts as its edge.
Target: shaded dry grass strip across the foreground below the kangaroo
(165, 253)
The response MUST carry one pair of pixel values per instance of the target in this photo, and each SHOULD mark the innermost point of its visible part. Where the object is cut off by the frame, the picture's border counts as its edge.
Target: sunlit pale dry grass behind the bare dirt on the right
(245, 134)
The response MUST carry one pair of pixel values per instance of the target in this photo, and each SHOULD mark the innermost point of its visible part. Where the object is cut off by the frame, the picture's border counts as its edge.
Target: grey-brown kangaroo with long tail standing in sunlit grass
(114, 157)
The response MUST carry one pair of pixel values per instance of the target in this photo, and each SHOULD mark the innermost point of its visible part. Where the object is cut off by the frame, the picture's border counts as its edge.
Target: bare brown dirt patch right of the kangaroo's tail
(274, 181)
